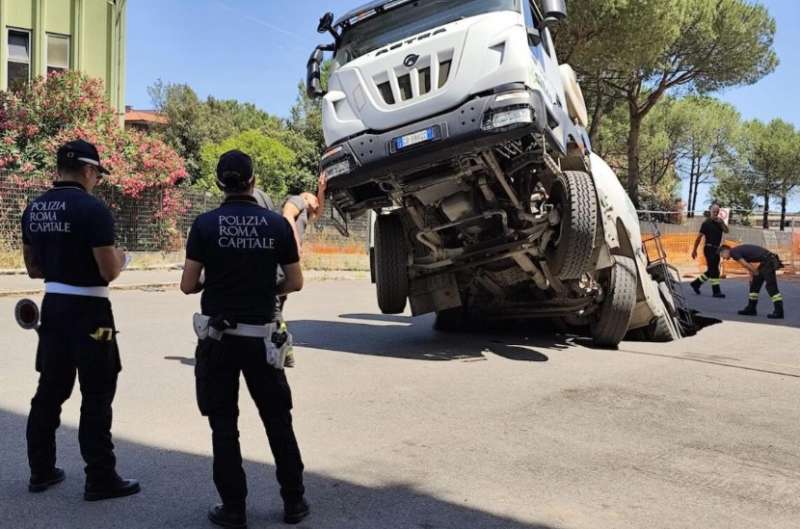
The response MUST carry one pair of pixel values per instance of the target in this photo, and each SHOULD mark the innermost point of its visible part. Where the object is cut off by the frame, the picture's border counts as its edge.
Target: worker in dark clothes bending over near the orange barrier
(748, 255)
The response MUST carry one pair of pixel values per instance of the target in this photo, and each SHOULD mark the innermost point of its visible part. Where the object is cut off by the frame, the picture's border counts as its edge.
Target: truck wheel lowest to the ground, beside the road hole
(614, 315)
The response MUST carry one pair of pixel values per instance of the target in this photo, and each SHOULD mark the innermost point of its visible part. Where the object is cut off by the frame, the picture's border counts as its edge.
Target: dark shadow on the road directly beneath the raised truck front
(415, 339)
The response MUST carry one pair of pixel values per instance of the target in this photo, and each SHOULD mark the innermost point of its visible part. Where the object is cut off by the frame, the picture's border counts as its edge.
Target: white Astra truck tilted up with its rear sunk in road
(452, 123)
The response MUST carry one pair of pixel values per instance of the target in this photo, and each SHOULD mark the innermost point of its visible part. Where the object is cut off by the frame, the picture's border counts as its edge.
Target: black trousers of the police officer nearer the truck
(217, 370)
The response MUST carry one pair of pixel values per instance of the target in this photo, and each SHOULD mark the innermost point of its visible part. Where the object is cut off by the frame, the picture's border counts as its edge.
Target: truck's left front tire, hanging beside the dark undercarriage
(391, 264)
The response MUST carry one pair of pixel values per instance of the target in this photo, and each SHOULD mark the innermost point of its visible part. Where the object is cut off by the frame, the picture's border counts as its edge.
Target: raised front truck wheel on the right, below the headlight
(571, 253)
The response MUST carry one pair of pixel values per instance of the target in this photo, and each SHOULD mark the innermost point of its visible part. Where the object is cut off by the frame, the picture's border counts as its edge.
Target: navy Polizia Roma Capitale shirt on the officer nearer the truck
(240, 245)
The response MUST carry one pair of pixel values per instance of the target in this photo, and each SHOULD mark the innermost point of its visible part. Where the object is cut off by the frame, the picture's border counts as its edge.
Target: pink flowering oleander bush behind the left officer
(49, 111)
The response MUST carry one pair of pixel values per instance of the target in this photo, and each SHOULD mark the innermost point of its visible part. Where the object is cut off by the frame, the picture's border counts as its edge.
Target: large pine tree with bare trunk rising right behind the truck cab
(637, 51)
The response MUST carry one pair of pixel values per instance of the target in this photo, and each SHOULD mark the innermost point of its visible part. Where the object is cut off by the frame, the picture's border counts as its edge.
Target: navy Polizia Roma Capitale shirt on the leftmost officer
(62, 226)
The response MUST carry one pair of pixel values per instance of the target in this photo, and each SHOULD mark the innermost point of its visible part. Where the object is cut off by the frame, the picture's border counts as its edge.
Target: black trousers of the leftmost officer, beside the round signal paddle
(77, 337)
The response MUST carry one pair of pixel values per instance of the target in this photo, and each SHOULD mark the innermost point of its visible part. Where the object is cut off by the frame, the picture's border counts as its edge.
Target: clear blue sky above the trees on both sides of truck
(256, 51)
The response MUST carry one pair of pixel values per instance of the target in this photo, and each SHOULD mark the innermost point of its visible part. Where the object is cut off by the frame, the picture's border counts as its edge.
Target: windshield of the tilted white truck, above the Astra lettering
(411, 19)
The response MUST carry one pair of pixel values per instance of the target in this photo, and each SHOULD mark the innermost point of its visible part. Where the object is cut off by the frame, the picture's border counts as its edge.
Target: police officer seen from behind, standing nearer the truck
(238, 248)
